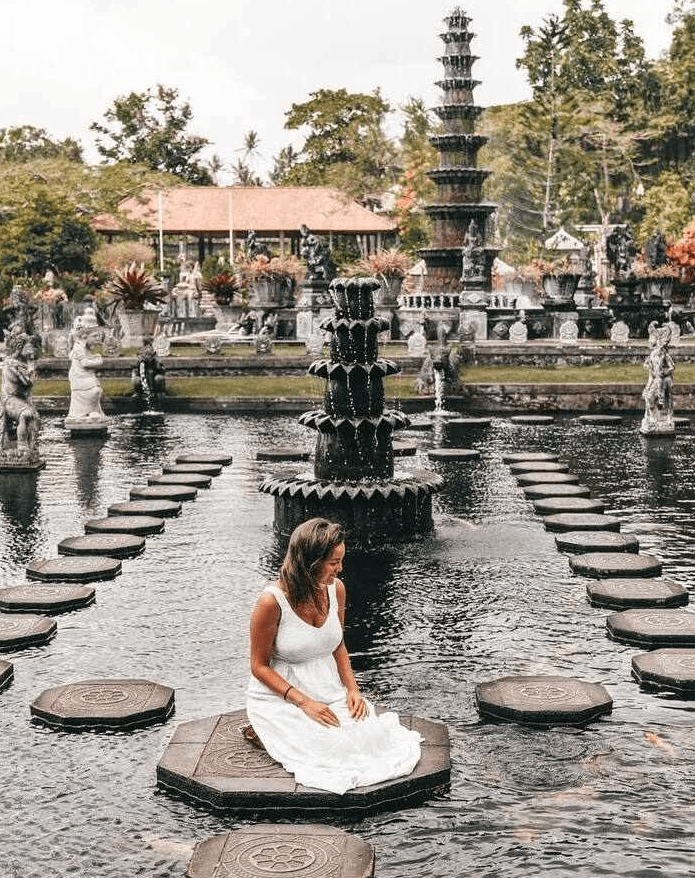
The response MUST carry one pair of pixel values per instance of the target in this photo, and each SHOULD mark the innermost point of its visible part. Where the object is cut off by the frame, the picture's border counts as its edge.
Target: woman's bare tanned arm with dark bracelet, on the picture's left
(265, 620)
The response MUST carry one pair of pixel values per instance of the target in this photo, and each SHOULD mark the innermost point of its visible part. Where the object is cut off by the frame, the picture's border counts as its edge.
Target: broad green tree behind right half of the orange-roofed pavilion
(346, 145)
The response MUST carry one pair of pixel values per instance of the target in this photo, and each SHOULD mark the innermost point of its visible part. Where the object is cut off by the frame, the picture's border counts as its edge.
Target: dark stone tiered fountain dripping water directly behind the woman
(353, 480)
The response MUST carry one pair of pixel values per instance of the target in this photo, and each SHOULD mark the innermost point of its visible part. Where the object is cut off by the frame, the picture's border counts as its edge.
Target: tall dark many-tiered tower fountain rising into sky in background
(458, 277)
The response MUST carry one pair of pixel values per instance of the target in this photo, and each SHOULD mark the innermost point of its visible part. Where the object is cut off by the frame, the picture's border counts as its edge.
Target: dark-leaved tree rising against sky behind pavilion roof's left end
(150, 128)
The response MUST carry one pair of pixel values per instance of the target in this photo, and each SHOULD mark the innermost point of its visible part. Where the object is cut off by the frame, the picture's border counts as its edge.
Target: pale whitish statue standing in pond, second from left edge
(85, 413)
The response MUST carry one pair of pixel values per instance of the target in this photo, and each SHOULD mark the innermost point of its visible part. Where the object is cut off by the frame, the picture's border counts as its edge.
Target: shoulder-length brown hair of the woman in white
(310, 546)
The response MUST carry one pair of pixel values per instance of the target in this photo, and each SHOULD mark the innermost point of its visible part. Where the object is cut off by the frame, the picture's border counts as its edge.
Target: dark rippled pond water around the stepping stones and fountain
(487, 595)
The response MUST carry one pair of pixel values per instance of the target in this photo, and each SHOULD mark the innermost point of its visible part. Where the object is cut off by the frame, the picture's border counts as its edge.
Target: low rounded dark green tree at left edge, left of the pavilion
(45, 233)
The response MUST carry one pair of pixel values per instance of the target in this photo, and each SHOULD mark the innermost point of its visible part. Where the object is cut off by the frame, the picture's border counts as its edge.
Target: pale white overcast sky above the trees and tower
(242, 63)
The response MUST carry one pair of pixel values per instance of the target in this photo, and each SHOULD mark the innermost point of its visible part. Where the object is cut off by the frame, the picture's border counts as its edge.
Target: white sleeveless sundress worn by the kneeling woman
(337, 758)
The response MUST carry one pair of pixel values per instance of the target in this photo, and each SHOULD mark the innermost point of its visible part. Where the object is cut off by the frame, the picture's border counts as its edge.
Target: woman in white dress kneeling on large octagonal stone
(303, 702)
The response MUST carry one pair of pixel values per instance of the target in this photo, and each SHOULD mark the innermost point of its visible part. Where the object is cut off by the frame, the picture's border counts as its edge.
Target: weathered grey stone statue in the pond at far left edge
(17, 409)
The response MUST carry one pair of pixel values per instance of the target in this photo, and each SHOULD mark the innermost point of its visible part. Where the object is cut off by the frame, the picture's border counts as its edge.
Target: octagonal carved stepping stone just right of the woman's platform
(543, 701)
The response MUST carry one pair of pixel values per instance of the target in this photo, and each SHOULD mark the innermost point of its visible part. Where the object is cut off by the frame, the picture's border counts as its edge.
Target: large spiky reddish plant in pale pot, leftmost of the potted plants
(135, 294)
